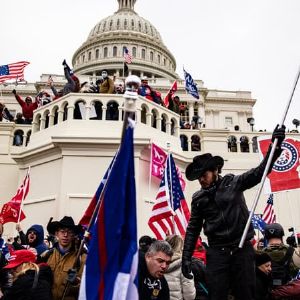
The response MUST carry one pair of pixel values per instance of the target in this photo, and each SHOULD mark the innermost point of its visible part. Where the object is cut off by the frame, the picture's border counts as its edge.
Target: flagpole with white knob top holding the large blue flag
(132, 84)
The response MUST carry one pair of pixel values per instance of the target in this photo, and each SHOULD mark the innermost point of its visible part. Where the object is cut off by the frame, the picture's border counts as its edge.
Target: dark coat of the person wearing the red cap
(23, 287)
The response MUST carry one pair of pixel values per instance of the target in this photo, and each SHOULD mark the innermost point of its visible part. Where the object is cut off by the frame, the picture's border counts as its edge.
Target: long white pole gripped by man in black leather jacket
(254, 204)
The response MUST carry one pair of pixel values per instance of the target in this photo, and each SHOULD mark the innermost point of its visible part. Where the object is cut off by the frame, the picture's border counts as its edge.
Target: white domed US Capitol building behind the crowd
(68, 156)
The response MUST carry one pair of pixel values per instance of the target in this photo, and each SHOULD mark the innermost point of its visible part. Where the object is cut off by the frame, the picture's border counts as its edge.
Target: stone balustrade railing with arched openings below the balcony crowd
(103, 107)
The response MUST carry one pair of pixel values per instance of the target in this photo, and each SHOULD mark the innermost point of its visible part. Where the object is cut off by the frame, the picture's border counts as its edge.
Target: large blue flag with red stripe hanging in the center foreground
(110, 272)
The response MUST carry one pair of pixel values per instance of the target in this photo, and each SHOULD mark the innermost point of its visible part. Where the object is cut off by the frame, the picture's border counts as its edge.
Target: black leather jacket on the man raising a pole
(222, 212)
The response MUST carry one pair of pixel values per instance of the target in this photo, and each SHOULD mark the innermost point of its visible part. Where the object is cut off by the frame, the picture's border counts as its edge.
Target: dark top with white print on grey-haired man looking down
(151, 288)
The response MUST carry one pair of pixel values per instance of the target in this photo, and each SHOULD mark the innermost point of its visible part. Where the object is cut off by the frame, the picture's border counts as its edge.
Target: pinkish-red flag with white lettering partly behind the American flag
(158, 162)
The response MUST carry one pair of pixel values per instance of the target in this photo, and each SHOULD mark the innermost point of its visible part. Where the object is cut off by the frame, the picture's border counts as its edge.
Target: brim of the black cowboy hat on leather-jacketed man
(193, 171)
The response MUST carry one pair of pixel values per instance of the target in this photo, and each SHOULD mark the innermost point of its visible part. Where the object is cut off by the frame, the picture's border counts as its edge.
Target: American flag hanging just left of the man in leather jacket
(170, 213)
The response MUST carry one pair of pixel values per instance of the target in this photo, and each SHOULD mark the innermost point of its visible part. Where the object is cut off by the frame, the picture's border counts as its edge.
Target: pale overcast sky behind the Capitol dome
(229, 44)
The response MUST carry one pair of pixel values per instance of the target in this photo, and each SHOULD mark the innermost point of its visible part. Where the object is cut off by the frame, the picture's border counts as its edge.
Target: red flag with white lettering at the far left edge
(11, 210)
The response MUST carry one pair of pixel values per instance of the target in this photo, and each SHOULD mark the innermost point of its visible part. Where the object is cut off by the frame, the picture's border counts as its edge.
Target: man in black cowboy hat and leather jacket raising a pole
(220, 208)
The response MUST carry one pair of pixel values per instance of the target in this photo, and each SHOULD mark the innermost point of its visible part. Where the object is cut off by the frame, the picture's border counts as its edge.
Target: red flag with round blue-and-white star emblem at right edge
(285, 174)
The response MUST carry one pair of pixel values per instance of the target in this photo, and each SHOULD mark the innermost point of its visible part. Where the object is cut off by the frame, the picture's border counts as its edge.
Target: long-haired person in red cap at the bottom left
(29, 280)
